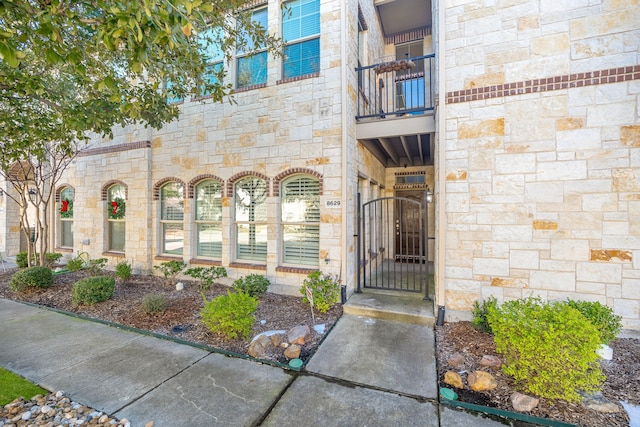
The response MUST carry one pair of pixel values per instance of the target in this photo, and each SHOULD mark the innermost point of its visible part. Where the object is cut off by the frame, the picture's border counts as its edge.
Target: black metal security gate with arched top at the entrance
(392, 244)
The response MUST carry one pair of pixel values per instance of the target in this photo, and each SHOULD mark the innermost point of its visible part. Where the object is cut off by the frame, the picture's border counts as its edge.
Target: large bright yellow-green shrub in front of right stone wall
(549, 348)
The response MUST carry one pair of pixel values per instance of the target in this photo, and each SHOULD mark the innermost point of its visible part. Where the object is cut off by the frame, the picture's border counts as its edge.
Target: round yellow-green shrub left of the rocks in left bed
(231, 314)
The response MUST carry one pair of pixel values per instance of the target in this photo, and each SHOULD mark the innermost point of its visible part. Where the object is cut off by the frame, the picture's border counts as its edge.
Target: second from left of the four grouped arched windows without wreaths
(209, 218)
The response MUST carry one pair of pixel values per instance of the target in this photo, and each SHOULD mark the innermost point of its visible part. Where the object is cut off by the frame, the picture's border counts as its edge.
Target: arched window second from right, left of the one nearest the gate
(251, 219)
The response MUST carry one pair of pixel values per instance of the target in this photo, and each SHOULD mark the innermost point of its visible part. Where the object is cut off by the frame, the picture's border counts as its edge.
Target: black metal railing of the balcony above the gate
(396, 87)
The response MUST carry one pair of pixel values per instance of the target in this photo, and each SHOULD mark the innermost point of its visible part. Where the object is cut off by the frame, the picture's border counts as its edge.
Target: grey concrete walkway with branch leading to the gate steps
(367, 372)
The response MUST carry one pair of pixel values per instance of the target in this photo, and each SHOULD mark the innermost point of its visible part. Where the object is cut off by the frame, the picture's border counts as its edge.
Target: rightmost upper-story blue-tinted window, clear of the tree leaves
(301, 32)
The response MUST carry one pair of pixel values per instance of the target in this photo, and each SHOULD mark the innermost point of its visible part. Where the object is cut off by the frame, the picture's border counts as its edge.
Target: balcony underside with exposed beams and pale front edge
(400, 141)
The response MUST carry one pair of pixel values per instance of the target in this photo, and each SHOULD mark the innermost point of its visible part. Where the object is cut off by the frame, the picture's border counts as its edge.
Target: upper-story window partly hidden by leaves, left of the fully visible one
(251, 67)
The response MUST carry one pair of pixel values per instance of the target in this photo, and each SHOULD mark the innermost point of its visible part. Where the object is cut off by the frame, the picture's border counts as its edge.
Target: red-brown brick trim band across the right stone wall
(612, 75)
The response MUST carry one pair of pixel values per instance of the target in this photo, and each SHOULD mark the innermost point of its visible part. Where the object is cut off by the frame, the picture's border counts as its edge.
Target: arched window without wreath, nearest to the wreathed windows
(171, 218)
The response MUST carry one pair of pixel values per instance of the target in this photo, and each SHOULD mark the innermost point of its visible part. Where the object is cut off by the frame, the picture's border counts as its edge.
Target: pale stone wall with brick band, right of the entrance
(543, 153)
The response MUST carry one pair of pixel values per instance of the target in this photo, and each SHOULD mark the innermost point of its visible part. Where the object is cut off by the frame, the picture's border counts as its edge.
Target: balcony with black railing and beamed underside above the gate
(395, 119)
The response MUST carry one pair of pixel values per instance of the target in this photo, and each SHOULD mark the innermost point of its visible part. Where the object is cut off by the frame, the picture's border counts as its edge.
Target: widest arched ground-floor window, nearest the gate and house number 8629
(300, 205)
